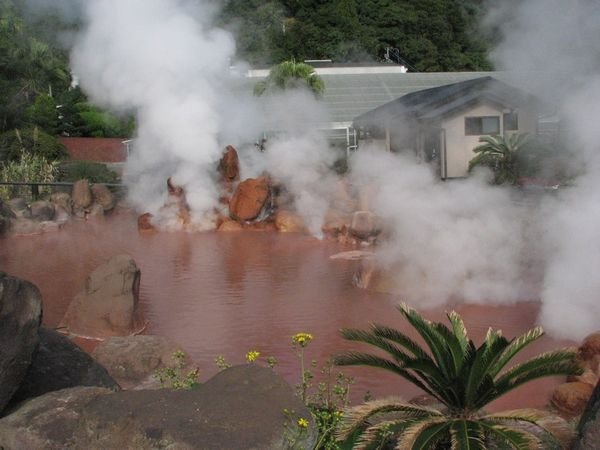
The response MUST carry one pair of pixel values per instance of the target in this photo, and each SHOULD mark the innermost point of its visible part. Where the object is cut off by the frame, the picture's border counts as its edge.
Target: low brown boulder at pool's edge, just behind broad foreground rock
(133, 360)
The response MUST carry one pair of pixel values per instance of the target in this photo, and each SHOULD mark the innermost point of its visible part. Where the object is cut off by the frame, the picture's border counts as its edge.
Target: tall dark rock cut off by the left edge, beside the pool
(20, 317)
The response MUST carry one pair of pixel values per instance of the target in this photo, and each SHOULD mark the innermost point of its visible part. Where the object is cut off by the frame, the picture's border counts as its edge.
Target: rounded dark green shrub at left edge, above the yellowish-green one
(31, 140)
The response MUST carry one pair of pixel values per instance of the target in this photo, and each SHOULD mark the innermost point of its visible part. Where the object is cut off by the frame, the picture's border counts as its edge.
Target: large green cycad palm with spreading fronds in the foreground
(461, 377)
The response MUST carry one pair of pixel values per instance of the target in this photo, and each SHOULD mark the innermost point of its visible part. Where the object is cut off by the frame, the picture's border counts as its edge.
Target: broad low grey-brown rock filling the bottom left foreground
(240, 408)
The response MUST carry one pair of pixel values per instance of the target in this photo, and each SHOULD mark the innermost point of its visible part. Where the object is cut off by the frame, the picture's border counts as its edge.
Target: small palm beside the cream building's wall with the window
(502, 155)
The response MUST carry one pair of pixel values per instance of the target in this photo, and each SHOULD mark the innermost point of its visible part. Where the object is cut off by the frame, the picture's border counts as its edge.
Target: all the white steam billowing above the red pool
(165, 62)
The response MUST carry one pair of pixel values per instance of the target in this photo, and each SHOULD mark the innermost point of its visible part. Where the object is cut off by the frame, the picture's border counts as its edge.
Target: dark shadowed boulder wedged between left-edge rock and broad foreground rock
(58, 363)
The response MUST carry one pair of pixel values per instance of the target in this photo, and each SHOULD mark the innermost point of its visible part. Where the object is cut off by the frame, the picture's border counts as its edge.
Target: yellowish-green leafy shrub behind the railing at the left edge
(29, 167)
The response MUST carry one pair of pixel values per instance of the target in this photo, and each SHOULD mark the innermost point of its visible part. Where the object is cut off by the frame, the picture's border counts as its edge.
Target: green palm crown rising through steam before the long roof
(290, 75)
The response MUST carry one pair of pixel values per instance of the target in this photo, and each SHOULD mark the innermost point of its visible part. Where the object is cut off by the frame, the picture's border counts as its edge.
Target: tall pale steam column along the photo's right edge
(558, 40)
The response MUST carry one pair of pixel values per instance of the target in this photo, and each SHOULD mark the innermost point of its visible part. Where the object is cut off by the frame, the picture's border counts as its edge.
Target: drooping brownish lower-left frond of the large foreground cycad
(358, 417)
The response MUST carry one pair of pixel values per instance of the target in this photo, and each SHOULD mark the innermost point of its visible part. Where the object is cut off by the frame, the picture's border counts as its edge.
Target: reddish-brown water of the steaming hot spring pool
(228, 293)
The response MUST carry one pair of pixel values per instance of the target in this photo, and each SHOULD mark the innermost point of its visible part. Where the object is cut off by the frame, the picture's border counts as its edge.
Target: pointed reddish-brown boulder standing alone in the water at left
(108, 306)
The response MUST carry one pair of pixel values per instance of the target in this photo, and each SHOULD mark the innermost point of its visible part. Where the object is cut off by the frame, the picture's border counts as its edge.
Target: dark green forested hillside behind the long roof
(432, 35)
